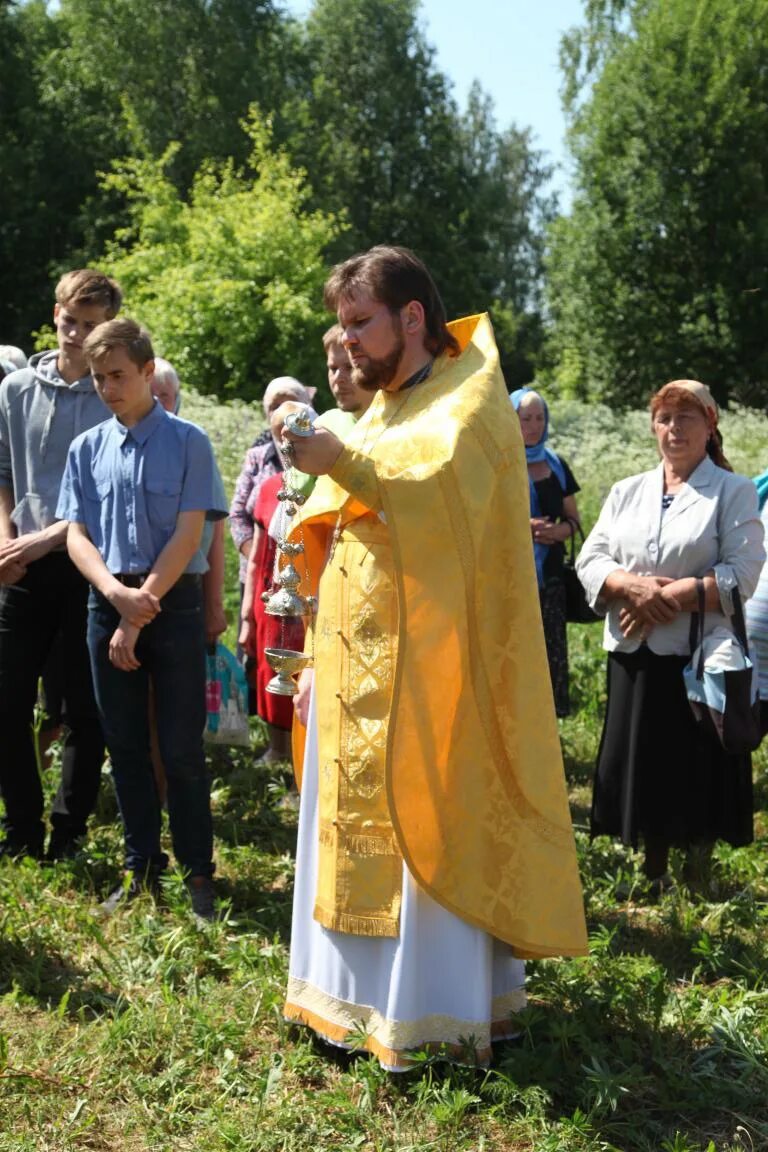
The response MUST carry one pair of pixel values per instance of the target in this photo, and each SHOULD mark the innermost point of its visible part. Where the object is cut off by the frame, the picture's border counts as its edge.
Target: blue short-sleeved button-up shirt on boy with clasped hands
(128, 487)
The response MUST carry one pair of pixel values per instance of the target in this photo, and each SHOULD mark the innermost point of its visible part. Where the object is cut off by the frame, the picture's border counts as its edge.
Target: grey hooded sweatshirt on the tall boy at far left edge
(41, 415)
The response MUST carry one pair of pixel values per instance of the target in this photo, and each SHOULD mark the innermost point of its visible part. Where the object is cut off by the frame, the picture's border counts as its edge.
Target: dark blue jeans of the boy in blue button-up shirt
(172, 653)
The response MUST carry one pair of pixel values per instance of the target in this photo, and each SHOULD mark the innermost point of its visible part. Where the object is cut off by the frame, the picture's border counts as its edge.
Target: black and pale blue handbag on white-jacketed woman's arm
(725, 701)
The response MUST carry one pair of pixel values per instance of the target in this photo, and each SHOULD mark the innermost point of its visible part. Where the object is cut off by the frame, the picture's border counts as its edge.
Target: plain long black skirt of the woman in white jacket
(658, 772)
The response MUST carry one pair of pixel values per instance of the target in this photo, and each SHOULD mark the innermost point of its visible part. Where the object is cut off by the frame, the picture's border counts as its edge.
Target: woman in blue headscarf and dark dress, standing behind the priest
(554, 519)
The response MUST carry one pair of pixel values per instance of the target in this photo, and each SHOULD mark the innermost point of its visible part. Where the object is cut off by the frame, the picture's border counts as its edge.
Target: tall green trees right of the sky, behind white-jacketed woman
(661, 269)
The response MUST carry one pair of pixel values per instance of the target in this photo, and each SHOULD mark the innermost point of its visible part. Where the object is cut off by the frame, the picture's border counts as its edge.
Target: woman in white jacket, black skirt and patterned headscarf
(660, 778)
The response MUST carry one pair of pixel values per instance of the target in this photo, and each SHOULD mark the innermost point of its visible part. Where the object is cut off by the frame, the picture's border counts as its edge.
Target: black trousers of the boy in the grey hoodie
(51, 600)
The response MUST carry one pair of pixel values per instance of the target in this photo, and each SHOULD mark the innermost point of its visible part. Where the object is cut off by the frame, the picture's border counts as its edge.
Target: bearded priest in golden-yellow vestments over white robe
(436, 845)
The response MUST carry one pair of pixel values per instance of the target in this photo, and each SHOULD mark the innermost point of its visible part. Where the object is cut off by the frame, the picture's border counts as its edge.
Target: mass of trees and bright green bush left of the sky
(159, 92)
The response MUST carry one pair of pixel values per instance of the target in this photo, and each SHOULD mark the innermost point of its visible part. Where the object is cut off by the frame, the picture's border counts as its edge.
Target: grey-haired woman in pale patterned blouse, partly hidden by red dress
(262, 461)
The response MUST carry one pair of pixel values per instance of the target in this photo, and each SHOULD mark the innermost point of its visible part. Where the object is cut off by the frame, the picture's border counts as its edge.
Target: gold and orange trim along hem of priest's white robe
(393, 1043)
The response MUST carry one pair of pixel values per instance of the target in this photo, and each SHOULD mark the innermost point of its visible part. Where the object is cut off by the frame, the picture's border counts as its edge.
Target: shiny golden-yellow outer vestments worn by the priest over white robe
(437, 734)
